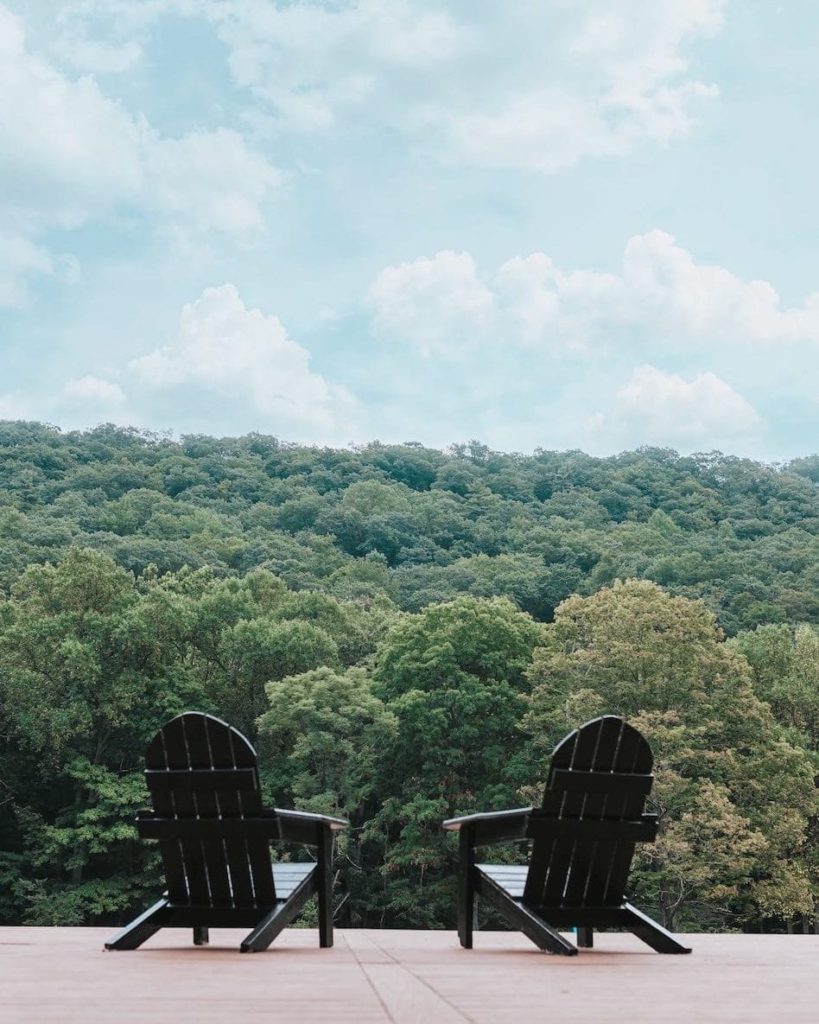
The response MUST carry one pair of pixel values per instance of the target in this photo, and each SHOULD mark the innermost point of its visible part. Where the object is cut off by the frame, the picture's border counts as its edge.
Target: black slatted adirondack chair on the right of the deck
(583, 843)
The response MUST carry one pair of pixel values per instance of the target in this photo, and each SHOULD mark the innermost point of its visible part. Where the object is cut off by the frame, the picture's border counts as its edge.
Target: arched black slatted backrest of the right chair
(600, 776)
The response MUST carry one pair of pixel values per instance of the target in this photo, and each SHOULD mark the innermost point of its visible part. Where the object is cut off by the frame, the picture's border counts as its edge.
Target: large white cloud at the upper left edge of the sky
(70, 154)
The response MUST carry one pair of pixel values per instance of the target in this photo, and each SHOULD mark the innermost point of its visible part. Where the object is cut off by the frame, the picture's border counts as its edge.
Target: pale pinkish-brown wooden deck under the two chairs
(63, 975)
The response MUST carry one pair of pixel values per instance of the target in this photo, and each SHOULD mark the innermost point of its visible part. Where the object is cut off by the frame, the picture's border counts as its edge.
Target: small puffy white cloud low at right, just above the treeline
(659, 408)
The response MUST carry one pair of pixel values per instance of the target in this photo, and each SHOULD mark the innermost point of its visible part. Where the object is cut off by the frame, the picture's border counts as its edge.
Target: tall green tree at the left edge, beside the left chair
(84, 682)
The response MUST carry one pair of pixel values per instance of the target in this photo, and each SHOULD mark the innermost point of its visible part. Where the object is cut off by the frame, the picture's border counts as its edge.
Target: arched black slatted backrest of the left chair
(198, 766)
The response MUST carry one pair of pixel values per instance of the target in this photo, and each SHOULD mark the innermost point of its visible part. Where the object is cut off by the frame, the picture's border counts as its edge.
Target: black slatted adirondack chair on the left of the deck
(215, 837)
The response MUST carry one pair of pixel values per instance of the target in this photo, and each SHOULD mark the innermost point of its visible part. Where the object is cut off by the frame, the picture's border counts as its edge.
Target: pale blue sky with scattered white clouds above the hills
(539, 224)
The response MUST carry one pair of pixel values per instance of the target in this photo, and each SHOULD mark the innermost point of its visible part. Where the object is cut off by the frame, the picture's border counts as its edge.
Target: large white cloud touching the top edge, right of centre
(612, 74)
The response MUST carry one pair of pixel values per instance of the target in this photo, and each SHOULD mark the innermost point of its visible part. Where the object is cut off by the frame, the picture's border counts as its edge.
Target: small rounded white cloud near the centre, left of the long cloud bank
(437, 304)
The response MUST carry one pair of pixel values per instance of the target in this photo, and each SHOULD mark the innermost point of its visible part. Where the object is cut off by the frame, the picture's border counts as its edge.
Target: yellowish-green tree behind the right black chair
(723, 765)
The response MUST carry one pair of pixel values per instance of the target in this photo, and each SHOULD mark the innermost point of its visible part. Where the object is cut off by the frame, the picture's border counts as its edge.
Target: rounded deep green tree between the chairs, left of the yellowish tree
(454, 678)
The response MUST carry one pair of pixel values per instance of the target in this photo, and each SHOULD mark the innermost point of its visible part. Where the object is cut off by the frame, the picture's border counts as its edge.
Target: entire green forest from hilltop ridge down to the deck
(405, 634)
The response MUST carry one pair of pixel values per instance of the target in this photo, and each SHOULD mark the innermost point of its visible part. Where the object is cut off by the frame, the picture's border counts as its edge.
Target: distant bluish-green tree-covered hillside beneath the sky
(419, 526)
